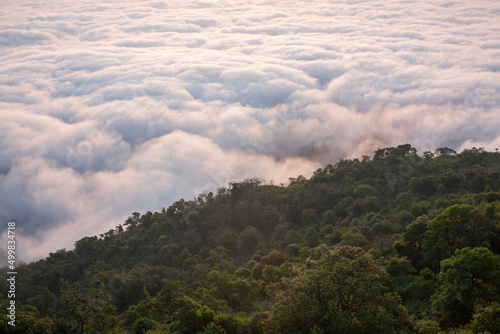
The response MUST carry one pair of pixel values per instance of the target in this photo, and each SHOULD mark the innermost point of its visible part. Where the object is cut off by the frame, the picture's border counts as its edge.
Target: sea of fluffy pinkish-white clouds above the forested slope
(111, 107)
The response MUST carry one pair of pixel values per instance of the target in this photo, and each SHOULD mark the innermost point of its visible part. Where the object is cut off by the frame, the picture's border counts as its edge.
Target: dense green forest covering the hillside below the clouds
(394, 243)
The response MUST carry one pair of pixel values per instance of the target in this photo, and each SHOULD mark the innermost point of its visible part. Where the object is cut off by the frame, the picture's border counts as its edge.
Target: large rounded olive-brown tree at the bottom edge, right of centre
(342, 292)
